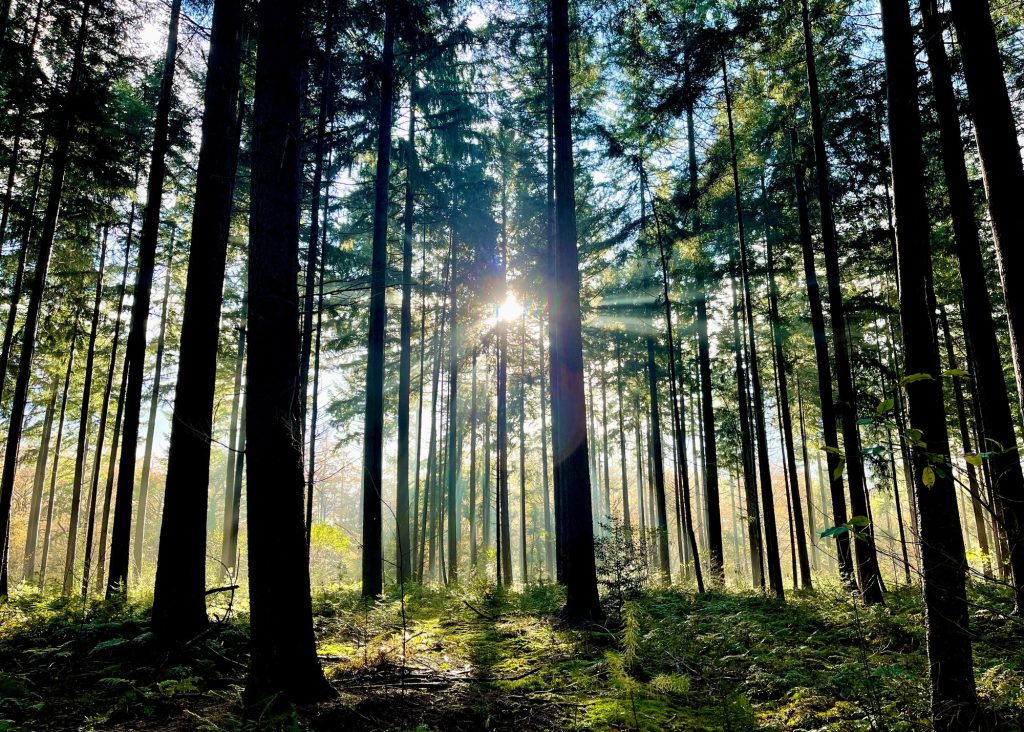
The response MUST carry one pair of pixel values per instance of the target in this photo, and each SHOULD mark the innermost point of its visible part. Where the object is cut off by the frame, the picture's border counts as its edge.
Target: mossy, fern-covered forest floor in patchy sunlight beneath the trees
(476, 660)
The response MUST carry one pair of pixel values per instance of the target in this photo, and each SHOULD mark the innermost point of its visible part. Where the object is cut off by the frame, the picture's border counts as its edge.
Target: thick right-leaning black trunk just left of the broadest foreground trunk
(180, 593)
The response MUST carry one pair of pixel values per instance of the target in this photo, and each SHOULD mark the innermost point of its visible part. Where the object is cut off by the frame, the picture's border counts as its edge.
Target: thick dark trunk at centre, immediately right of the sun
(569, 409)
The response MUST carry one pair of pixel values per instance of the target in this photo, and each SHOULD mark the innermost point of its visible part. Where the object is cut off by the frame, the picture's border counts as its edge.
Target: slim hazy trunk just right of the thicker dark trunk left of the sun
(406, 358)
